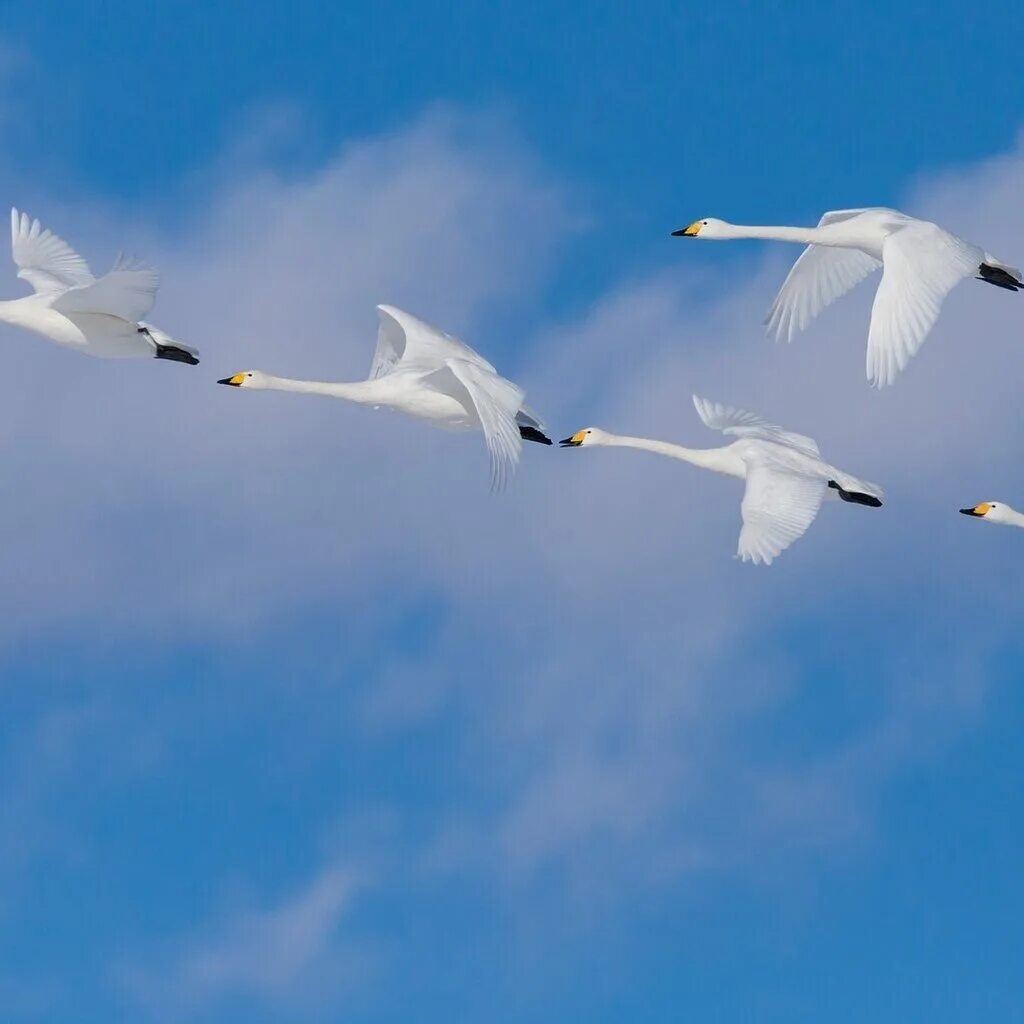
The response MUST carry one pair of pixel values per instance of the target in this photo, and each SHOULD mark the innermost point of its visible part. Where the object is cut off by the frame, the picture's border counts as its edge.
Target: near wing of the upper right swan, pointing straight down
(922, 265)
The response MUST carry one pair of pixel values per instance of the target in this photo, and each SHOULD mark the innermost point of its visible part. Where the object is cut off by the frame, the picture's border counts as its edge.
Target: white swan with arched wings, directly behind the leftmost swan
(419, 370)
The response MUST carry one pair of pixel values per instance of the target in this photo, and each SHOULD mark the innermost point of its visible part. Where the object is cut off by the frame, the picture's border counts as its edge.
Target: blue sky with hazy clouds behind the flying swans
(301, 723)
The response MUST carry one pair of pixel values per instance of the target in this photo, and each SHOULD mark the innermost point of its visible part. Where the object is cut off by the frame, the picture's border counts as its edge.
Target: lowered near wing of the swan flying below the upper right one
(779, 506)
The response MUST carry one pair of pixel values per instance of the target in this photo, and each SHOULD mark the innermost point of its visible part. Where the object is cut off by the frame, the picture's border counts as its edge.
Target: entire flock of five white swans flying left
(428, 374)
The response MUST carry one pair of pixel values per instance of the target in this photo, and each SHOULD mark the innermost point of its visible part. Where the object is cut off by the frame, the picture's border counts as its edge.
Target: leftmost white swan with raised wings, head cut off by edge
(101, 317)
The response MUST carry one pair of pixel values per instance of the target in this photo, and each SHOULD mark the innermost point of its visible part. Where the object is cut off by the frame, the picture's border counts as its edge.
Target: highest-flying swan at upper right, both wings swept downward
(921, 265)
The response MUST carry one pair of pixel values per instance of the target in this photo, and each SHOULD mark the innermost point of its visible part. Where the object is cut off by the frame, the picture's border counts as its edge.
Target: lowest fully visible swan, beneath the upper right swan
(787, 480)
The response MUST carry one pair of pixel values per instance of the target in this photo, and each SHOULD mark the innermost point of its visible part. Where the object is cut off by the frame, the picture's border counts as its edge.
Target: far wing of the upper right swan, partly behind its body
(821, 276)
